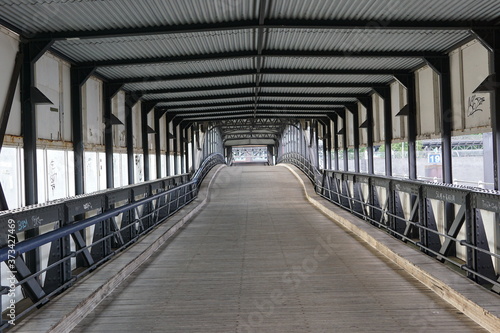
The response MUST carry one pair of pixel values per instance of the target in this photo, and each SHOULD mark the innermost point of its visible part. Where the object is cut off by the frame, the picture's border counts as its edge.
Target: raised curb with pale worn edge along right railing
(480, 305)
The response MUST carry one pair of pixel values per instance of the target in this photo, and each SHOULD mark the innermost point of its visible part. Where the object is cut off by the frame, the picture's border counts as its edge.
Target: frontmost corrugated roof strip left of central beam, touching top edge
(70, 15)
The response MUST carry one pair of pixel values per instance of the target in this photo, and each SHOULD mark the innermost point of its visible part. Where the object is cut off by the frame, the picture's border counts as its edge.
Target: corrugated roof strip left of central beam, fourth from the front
(202, 82)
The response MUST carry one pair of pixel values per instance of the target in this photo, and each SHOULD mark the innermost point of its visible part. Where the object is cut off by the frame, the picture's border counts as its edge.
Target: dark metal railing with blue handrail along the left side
(118, 217)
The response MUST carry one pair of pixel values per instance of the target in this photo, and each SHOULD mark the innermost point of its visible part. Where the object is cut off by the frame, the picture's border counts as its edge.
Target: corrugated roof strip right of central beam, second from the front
(358, 40)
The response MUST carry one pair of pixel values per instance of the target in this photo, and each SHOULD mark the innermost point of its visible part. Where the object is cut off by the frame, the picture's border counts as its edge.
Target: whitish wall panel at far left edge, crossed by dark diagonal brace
(8, 50)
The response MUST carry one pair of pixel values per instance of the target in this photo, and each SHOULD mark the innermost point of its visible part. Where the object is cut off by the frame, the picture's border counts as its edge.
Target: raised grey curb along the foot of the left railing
(65, 311)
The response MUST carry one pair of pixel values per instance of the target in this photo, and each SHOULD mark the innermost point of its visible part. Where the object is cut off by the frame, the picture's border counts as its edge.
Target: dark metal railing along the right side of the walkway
(459, 238)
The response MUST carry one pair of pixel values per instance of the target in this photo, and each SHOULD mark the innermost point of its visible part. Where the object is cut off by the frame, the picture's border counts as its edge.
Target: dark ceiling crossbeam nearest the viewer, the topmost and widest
(254, 24)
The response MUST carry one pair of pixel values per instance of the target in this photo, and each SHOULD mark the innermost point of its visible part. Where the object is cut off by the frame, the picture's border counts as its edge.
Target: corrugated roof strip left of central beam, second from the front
(154, 46)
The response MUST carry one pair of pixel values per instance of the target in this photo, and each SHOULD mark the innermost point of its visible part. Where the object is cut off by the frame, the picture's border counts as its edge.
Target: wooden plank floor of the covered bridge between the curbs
(260, 258)
